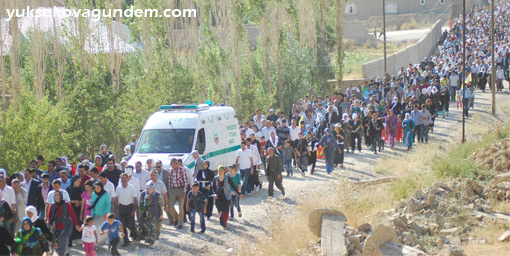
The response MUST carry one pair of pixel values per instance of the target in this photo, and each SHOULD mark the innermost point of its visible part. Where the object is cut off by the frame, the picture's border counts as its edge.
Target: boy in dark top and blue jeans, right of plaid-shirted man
(196, 203)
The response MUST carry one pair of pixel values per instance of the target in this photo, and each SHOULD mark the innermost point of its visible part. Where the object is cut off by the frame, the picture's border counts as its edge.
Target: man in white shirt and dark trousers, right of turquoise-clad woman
(127, 203)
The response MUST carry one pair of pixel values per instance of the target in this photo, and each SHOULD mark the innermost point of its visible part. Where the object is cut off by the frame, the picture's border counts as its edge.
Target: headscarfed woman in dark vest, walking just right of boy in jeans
(222, 193)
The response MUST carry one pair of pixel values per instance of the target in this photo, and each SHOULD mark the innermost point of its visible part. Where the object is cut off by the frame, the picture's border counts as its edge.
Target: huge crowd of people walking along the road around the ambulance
(101, 201)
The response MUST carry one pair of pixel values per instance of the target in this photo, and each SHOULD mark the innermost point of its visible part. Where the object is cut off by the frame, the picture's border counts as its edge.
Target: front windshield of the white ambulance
(166, 141)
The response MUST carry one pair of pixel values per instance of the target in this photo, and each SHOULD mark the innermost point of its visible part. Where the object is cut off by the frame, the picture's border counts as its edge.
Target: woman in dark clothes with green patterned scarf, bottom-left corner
(28, 239)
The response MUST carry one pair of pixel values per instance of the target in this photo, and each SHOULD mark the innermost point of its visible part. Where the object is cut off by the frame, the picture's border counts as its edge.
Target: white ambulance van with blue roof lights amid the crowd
(176, 130)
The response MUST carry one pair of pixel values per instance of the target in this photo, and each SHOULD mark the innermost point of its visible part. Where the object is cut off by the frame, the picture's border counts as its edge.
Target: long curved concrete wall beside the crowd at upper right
(412, 54)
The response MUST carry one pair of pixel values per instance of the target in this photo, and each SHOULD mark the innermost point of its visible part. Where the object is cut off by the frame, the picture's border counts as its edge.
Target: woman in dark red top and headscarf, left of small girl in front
(61, 220)
